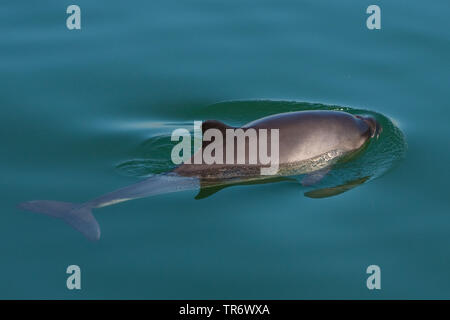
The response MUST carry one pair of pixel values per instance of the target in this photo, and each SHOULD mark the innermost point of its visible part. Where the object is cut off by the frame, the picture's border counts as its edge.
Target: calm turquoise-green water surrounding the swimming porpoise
(82, 112)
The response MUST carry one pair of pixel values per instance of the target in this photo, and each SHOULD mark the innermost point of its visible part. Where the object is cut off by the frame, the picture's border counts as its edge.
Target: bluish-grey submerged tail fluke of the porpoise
(78, 216)
